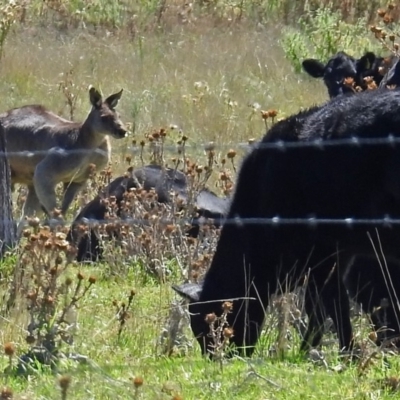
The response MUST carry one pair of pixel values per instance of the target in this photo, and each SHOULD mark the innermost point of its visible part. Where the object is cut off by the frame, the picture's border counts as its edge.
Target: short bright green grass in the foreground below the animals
(113, 362)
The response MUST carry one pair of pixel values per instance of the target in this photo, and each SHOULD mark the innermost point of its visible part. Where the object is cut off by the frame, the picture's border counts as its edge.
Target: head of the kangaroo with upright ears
(104, 118)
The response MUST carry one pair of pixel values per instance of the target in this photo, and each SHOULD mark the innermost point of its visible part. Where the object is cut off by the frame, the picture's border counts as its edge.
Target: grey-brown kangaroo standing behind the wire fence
(61, 150)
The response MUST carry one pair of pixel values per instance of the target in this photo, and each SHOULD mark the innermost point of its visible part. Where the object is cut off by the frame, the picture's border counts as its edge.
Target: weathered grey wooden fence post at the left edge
(7, 225)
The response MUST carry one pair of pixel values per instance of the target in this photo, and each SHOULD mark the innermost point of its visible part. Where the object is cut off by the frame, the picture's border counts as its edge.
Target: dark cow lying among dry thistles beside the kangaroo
(208, 204)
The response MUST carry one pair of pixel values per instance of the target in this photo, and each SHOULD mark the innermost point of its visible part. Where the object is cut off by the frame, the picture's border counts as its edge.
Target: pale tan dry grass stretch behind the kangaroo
(207, 83)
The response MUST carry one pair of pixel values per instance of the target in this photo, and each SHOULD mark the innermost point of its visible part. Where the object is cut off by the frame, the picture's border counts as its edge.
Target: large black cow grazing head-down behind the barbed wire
(296, 172)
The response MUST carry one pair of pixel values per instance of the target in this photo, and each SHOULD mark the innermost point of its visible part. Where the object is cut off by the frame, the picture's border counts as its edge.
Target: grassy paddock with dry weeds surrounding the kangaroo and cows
(204, 70)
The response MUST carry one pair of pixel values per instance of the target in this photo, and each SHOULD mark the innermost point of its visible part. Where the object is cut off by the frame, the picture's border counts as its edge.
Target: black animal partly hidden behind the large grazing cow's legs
(374, 284)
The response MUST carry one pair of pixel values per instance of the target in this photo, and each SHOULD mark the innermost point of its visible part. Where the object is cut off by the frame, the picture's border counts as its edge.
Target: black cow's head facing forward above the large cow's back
(342, 66)
